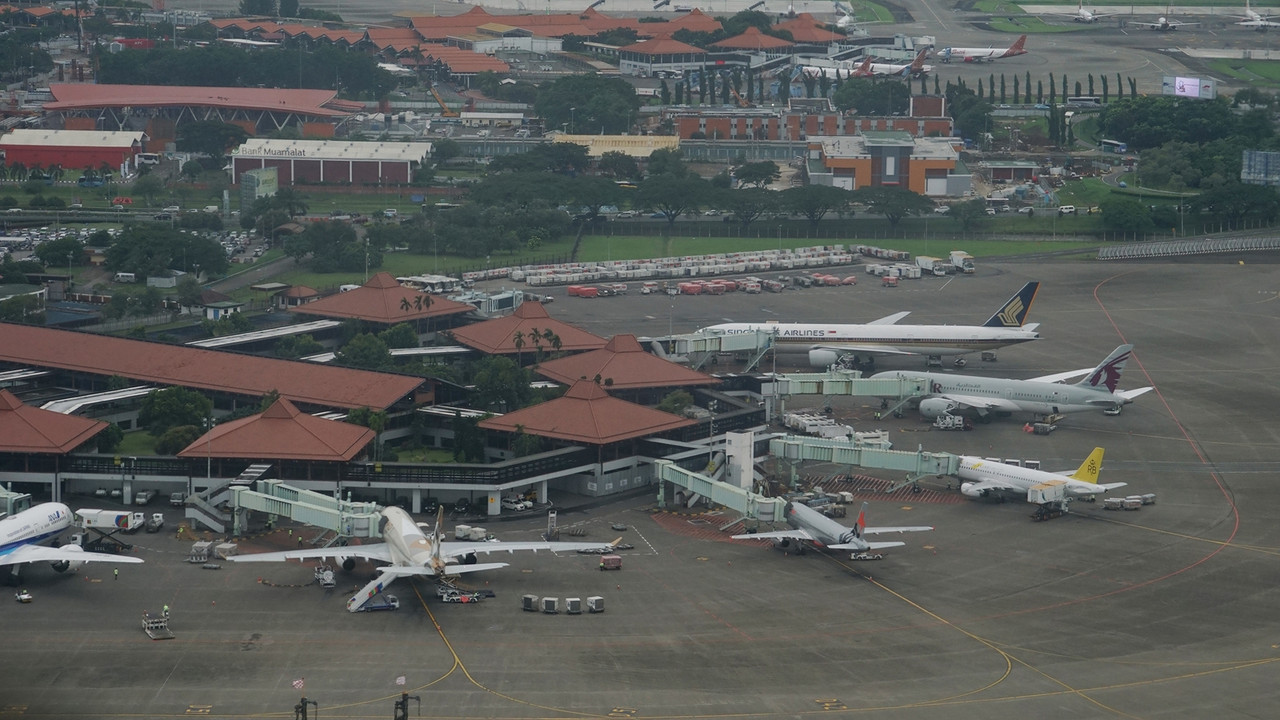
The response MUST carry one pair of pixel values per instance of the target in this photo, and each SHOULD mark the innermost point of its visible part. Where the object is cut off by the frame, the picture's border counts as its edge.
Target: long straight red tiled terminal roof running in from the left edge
(205, 370)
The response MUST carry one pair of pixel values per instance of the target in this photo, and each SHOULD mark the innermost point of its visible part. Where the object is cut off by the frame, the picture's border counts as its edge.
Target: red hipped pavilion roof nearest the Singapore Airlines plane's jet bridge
(624, 363)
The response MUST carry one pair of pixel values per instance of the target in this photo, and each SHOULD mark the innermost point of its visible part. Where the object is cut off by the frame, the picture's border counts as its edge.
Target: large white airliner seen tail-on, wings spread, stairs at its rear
(410, 553)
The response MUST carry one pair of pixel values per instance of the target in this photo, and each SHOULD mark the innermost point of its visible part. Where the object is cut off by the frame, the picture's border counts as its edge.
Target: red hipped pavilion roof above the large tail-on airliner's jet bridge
(282, 434)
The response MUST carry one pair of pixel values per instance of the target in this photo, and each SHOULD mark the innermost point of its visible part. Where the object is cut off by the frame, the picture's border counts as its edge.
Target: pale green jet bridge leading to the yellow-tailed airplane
(917, 466)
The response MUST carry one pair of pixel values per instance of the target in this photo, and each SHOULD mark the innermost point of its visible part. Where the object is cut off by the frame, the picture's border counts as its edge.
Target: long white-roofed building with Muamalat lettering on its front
(333, 162)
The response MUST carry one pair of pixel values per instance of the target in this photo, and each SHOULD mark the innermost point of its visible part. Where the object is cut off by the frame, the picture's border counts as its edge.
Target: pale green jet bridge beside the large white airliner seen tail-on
(344, 518)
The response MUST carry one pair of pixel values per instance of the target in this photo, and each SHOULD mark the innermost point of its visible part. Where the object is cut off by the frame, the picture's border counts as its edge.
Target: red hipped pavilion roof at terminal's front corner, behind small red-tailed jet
(587, 414)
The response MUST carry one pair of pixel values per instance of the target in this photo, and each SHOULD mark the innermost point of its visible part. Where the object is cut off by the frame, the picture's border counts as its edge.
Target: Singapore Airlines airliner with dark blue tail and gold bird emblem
(845, 343)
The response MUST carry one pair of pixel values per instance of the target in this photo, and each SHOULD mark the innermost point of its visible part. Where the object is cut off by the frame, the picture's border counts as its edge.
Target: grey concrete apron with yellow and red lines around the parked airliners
(1163, 613)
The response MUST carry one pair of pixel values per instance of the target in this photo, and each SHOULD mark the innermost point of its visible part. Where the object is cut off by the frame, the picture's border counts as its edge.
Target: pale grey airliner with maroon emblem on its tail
(972, 395)
